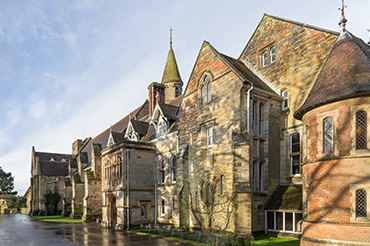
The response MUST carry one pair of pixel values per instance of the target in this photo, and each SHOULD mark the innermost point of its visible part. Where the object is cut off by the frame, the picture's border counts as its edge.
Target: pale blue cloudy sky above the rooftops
(70, 69)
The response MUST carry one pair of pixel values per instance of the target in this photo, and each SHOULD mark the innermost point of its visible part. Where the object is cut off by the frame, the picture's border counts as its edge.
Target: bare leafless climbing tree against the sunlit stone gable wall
(213, 207)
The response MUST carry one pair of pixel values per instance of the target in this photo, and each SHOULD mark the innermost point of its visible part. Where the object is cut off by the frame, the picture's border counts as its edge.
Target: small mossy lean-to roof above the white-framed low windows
(286, 197)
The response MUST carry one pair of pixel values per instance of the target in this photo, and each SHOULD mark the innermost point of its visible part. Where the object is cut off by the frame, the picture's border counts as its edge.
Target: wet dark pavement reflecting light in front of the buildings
(17, 230)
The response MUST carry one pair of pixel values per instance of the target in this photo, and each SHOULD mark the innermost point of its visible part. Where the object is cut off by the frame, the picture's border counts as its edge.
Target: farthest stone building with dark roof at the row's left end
(48, 171)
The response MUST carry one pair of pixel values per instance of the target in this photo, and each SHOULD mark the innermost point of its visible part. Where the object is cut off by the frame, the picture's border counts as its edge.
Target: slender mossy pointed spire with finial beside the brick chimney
(171, 72)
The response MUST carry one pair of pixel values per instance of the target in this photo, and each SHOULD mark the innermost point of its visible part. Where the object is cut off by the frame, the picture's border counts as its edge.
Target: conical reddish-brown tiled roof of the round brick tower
(345, 74)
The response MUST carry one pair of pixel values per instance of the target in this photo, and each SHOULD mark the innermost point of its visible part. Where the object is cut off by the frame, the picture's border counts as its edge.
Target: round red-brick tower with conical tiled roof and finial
(335, 147)
